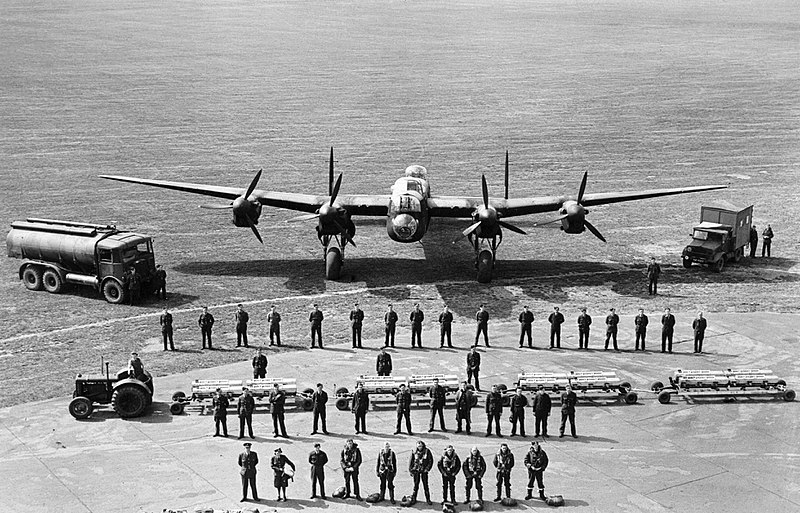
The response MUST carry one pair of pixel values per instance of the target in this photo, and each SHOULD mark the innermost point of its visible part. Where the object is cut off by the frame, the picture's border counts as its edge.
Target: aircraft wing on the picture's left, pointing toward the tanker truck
(364, 204)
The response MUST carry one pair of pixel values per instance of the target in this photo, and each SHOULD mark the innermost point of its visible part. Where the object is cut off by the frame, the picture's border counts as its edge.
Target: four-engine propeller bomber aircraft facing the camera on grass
(408, 211)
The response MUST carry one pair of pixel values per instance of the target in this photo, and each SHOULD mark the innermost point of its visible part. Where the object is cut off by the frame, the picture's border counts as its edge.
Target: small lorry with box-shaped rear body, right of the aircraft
(721, 236)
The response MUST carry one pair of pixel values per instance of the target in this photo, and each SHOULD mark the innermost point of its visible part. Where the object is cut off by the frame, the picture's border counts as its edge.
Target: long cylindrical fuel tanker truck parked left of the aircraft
(55, 253)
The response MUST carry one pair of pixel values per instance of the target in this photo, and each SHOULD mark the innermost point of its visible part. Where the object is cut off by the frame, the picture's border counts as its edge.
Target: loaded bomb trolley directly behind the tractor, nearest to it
(203, 391)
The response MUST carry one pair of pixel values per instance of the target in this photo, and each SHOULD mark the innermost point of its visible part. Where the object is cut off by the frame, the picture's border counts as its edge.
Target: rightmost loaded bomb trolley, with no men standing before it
(727, 384)
